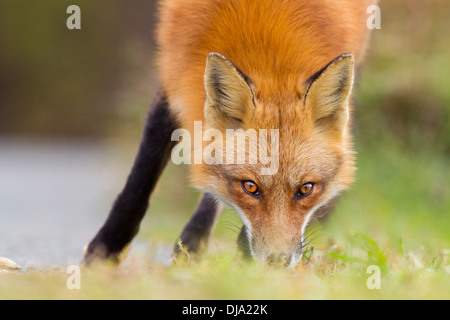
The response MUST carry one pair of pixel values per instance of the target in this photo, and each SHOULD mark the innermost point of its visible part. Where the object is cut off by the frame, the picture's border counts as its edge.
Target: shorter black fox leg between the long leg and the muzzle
(196, 233)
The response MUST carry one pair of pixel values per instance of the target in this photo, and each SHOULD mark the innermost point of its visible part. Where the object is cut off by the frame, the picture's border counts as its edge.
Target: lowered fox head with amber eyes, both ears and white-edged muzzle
(313, 153)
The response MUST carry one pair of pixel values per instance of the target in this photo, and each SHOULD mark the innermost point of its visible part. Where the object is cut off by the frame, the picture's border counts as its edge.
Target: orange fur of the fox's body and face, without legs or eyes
(278, 45)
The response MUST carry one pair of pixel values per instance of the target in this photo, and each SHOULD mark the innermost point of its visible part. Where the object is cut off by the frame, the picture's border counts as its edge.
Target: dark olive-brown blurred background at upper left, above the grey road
(60, 82)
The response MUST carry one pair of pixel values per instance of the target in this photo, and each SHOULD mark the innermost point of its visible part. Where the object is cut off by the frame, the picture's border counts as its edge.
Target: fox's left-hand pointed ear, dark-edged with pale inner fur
(229, 98)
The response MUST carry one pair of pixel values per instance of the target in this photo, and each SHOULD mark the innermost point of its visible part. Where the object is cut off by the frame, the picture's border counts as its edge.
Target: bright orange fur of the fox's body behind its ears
(278, 44)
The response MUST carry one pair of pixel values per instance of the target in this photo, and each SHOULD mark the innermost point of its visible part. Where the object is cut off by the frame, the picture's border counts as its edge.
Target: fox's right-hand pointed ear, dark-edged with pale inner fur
(328, 93)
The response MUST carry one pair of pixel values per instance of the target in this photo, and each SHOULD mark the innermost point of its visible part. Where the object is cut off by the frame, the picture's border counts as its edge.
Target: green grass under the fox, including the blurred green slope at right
(395, 217)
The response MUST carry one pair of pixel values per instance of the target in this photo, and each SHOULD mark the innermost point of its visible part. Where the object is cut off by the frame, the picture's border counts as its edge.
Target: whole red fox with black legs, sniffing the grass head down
(250, 64)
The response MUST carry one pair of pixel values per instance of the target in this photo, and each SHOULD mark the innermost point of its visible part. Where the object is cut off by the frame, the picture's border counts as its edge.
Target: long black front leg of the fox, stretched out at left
(131, 204)
